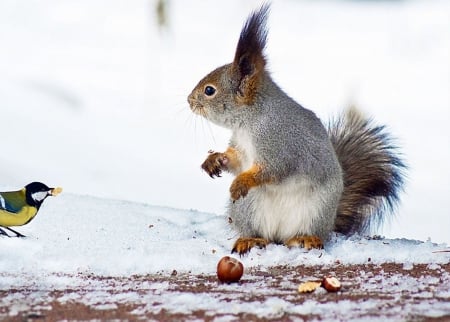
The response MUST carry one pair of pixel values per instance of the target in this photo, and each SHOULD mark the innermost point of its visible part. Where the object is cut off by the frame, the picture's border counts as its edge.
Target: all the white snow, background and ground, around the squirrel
(93, 99)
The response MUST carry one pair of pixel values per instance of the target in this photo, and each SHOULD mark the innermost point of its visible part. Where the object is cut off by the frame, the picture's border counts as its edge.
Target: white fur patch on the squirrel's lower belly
(288, 209)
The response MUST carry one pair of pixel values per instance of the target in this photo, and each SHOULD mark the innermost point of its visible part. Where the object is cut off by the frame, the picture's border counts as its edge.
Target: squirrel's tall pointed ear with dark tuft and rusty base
(249, 61)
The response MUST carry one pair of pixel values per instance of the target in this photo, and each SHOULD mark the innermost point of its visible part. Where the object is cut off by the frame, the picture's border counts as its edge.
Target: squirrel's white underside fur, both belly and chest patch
(280, 211)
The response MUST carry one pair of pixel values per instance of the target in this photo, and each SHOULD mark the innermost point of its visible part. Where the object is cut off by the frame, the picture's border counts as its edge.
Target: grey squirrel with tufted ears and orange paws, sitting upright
(296, 180)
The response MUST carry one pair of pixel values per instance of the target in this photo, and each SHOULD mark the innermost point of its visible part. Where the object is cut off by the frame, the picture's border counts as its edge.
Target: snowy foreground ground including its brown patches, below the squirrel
(105, 253)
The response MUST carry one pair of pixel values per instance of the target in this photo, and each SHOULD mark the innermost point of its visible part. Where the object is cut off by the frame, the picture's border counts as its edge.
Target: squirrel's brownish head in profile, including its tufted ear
(228, 91)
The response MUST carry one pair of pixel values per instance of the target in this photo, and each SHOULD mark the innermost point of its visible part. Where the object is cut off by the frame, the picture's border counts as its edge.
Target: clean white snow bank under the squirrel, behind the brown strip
(75, 234)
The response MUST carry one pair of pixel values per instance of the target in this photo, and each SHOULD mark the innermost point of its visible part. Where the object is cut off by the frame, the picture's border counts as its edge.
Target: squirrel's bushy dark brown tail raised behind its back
(373, 172)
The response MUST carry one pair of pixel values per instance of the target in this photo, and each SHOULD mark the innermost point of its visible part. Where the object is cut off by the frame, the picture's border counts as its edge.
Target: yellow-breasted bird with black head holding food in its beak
(18, 208)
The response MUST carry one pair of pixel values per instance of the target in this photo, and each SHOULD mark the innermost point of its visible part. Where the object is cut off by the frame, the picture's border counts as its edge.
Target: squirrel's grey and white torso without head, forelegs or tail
(295, 148)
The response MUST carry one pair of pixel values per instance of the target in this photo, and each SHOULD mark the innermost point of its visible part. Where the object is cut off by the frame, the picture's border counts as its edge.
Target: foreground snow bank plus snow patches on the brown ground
(75, 239)
